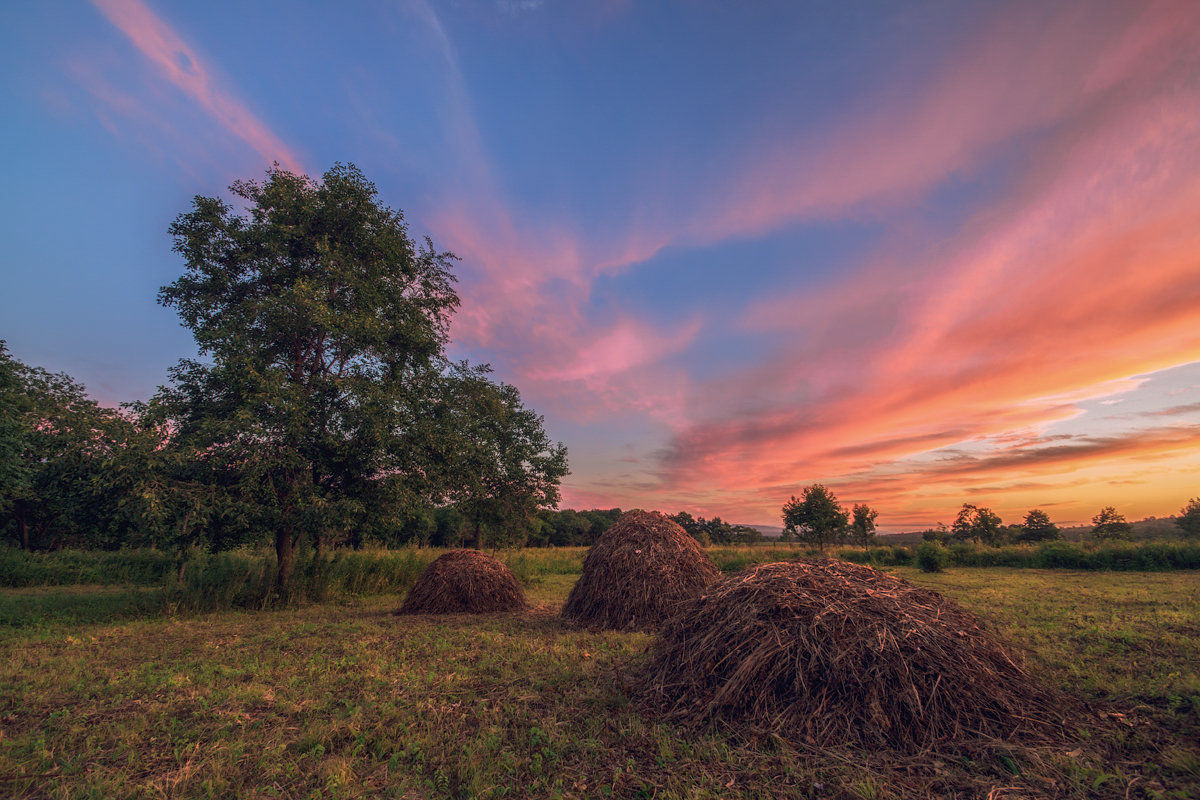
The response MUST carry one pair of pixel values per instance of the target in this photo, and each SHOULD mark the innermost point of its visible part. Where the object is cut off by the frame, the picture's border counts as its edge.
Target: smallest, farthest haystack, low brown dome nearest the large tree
(465, 582)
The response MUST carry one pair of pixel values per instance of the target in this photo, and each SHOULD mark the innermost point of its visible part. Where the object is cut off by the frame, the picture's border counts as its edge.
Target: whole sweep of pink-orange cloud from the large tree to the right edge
(1083, 275)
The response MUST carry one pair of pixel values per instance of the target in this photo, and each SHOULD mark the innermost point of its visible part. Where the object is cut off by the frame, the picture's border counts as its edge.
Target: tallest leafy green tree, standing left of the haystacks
(319, 318)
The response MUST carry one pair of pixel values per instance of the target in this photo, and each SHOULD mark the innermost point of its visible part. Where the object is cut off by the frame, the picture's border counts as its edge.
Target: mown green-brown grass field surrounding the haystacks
(103, 699)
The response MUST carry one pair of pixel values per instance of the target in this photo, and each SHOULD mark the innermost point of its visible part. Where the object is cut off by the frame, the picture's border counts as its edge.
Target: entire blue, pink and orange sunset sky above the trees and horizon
(926, 254)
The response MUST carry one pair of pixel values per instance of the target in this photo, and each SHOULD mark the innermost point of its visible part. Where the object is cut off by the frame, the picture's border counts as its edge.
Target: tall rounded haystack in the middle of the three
(638, 573)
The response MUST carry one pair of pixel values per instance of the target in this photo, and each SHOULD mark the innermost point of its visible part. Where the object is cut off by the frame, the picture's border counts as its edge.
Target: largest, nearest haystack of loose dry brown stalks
(829, 653)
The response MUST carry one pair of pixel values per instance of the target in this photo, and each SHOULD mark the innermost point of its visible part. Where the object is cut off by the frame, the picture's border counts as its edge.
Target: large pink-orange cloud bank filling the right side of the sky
(1084, 275)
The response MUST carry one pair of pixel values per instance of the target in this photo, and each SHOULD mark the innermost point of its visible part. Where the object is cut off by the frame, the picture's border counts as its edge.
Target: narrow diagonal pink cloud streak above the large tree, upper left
(179, 64)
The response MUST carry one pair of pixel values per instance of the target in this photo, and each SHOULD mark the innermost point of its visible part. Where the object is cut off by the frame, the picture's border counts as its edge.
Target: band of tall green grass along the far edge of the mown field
(247, 579)
